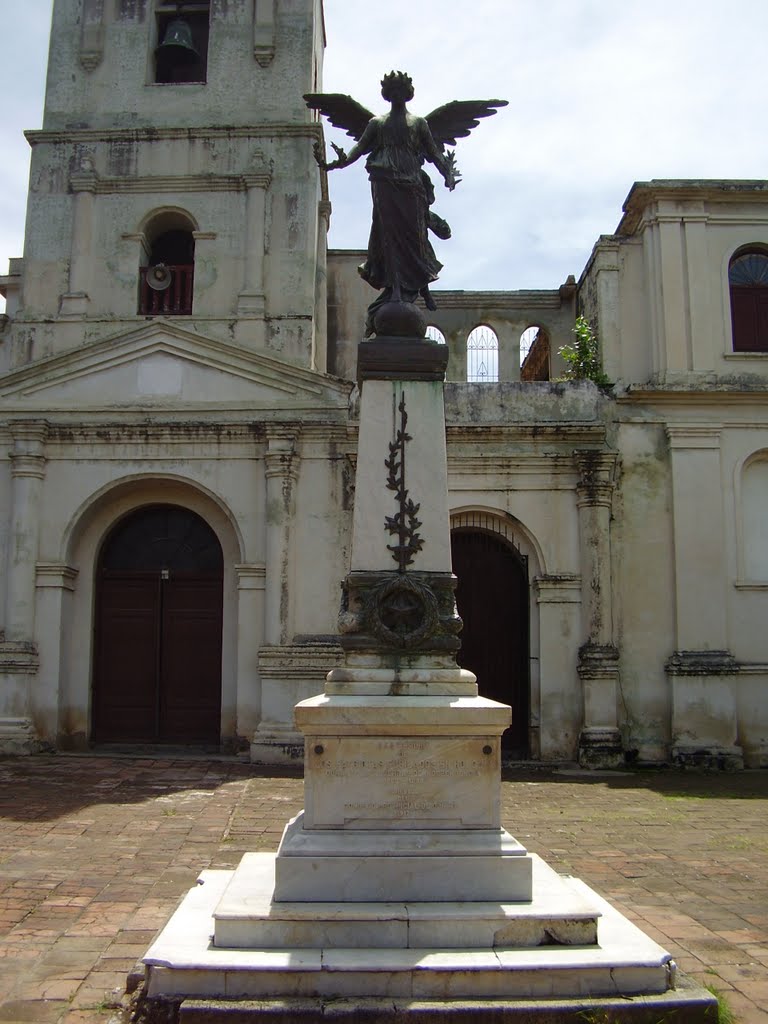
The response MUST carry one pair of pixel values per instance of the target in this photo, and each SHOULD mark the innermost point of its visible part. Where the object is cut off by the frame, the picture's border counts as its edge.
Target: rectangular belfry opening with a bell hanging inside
(182, 52)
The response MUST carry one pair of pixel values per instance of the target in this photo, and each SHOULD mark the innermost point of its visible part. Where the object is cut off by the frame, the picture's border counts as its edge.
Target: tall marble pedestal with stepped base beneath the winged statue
(398, 880)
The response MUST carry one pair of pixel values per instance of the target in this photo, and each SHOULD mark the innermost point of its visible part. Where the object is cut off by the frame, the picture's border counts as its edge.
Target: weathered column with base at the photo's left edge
(19, 657)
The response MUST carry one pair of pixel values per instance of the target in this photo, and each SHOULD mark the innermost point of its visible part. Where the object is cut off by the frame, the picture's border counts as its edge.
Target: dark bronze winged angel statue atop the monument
(401, 261)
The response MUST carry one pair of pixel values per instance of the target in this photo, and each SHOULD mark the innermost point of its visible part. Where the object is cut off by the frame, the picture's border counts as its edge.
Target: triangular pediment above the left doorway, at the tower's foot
(162, 365)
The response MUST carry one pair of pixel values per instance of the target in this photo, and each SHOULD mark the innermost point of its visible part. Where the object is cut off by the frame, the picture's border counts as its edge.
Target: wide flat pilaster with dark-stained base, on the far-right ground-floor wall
(702, 671)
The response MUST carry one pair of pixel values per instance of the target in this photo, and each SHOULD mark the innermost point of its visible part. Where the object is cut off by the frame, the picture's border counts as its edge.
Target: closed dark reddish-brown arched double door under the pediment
(157, 675)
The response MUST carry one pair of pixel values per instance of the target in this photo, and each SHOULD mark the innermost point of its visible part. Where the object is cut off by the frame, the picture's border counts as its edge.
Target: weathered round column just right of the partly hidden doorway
(601, 742)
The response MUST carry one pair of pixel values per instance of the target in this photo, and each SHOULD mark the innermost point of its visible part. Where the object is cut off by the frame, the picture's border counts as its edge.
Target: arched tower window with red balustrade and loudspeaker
(166, 282)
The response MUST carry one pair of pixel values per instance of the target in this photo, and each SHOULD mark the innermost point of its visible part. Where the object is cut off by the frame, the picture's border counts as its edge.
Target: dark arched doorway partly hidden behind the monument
(493, 601)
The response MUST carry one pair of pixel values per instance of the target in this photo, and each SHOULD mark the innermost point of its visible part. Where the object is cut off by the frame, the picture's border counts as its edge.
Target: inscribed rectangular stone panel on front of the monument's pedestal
(408, 783)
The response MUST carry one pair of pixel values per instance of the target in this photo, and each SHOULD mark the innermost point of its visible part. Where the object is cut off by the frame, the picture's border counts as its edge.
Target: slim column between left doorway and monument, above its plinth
(281, 471)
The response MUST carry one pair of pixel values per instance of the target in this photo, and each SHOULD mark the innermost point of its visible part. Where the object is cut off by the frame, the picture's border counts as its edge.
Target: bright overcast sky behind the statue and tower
(602, 94)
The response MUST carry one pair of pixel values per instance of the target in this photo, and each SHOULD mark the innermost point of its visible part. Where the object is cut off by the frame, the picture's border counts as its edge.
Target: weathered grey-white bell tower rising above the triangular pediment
(175, 178)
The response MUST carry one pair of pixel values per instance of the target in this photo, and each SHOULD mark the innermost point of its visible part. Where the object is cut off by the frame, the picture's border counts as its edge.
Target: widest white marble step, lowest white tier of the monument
(184, 963)
